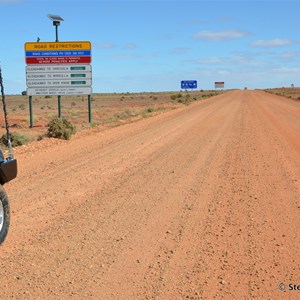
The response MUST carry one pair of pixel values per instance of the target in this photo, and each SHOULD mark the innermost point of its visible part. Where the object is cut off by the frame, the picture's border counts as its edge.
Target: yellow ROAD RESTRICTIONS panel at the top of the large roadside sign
(40, 46)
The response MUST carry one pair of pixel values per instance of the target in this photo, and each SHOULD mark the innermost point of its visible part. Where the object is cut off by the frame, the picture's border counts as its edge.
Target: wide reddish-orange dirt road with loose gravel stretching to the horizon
(202, 202)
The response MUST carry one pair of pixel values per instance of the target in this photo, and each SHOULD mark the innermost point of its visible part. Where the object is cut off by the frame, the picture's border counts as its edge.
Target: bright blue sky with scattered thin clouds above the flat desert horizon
(150, 46)
